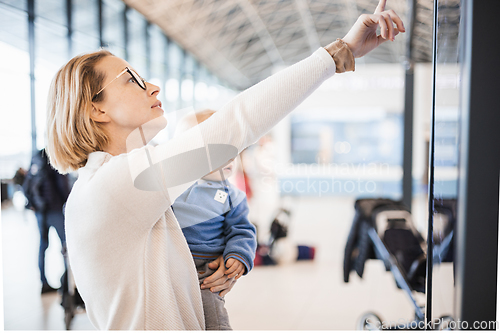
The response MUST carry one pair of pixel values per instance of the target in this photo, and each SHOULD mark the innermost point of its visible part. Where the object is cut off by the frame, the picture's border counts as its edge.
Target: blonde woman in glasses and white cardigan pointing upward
(130, 260)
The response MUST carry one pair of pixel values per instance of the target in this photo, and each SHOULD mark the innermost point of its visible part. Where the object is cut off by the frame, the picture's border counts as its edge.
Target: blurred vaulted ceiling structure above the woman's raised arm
(244, 41)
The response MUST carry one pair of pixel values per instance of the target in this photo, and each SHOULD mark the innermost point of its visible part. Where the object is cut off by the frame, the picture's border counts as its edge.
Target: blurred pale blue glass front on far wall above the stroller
(356, 144)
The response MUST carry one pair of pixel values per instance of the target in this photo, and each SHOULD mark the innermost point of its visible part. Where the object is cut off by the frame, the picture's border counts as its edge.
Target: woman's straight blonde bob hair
(72, 134)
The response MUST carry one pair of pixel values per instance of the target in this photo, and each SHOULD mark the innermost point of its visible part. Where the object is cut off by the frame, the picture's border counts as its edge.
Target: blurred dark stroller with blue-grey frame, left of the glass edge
(383, 229)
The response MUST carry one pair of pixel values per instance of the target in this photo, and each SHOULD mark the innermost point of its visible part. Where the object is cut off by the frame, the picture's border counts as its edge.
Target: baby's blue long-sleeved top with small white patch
(214, 220)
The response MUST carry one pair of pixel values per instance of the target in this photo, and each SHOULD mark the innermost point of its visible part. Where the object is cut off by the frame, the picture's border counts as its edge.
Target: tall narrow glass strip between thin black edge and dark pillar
(446, 131)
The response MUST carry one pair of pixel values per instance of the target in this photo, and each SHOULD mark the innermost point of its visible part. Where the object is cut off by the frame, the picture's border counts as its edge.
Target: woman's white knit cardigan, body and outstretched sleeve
(130, 261)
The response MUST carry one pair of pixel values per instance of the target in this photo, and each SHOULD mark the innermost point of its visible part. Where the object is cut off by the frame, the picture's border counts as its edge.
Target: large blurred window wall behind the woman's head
(124, 31)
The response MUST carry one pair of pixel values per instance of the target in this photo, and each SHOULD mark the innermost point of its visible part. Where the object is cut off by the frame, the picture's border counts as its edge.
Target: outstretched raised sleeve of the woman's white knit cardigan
(173, 166)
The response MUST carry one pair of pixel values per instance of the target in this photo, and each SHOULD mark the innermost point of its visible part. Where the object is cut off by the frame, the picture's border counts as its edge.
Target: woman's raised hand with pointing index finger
(362, 38)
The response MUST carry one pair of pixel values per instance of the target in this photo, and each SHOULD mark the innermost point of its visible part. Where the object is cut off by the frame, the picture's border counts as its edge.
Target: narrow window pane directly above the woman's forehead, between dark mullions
(113, 27)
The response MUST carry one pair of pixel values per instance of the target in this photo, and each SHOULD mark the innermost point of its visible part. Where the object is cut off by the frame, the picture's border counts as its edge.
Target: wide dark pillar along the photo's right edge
(478, 196)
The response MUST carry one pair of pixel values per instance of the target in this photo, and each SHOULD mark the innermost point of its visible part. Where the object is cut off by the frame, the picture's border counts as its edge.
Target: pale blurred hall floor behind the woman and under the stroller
(309, 295)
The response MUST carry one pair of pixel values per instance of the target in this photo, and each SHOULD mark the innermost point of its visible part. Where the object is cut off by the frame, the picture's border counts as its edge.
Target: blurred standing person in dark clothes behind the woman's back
(47, 191)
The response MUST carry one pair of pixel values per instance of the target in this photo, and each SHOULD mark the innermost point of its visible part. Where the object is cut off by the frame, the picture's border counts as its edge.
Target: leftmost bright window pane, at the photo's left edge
(15, 117)
